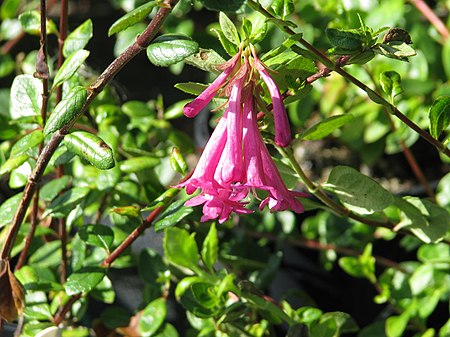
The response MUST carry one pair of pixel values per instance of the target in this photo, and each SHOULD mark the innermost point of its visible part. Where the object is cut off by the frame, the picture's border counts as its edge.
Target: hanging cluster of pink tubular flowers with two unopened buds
(235, 161)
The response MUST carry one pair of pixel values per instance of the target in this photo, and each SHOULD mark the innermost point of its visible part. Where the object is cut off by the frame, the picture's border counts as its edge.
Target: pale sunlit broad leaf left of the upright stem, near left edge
(26, 96)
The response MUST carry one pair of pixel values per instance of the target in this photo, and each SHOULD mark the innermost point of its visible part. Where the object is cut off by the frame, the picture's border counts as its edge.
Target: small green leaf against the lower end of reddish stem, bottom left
(84, 280)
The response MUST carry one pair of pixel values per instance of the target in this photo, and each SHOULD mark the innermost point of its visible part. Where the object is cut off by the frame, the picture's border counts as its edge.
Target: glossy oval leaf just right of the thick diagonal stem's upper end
(169, 49)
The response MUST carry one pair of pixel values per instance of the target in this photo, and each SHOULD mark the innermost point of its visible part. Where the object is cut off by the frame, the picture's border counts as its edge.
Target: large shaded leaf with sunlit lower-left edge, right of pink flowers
(358, 192)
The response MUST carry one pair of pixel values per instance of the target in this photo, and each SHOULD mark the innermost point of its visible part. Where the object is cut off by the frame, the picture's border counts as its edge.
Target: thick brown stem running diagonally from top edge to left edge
(140, 44)
